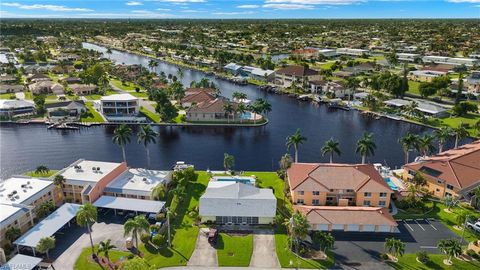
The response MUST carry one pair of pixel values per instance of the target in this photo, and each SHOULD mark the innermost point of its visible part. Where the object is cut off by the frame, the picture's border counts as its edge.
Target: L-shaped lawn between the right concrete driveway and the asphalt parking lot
(285, 256)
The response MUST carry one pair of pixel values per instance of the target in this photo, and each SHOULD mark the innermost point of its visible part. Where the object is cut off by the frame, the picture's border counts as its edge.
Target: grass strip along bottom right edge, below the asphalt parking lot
(408, 261)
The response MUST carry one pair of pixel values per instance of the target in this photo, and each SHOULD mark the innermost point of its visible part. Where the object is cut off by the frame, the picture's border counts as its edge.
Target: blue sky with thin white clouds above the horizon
(224, 9)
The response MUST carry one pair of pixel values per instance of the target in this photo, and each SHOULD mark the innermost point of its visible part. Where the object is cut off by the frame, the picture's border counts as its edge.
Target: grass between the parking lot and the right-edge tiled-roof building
(448, 219)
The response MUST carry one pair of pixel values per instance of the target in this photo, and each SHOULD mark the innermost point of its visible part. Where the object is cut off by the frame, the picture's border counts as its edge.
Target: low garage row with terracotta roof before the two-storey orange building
(349, 218)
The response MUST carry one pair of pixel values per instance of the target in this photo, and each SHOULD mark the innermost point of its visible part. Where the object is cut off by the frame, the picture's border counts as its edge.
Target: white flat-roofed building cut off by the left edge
(20, 199)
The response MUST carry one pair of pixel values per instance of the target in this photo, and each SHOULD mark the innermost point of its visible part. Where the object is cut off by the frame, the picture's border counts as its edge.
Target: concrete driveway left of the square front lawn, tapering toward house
(204, 254)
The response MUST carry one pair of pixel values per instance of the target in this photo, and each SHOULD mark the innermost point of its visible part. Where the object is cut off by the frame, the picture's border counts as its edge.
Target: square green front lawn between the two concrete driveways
(234, 250)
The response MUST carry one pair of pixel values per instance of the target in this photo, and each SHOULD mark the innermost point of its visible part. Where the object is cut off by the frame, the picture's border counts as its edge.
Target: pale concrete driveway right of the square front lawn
(264, 254)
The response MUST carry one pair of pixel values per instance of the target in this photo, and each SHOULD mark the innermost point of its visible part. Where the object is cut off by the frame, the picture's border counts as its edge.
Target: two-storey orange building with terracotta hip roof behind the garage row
(337, 184)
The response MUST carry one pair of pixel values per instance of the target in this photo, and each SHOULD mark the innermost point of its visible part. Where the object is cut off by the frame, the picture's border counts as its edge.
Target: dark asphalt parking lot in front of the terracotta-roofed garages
(361, 250)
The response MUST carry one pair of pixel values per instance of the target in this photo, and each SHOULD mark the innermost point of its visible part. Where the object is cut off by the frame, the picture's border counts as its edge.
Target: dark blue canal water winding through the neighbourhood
(25, 147)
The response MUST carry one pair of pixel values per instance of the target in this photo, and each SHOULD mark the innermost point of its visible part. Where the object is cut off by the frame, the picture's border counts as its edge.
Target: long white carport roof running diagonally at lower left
(48, 227)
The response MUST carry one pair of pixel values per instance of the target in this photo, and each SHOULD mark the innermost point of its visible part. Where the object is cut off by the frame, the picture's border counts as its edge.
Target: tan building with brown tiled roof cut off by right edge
(454, 172)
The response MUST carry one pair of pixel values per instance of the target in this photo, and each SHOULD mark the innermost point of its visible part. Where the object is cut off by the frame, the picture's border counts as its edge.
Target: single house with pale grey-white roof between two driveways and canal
(229, 202)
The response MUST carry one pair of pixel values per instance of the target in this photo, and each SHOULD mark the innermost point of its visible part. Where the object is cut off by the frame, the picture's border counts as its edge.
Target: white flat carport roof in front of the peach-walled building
(129, 204)
